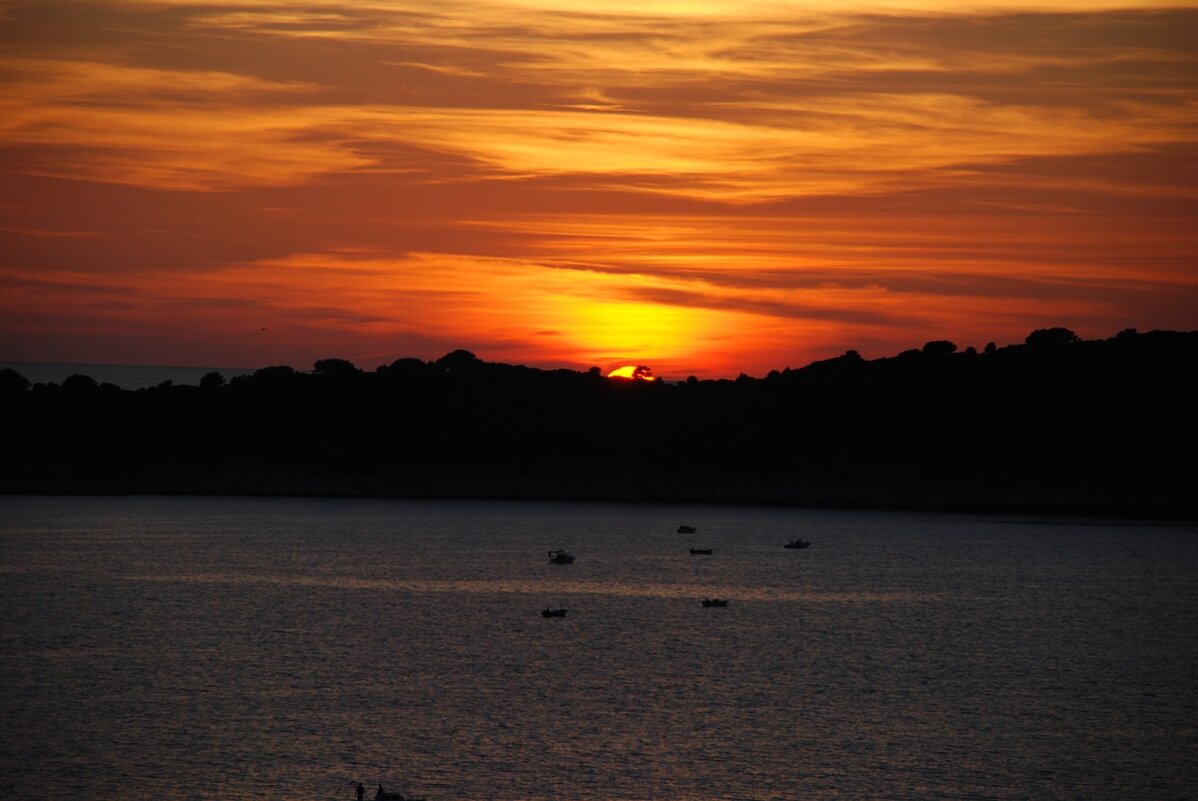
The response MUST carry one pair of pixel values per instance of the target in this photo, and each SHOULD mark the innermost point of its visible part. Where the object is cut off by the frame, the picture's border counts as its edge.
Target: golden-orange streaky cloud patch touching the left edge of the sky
(165, 129)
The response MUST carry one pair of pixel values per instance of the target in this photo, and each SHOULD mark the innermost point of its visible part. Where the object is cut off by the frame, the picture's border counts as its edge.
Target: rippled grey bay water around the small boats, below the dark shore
(215, 648)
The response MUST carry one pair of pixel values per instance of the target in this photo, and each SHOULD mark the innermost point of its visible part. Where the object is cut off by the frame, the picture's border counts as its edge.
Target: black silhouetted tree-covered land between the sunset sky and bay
(1055, 424)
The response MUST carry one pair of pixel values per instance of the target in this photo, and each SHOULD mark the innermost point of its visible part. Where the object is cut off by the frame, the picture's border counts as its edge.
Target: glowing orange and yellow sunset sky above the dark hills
(706, 187)
